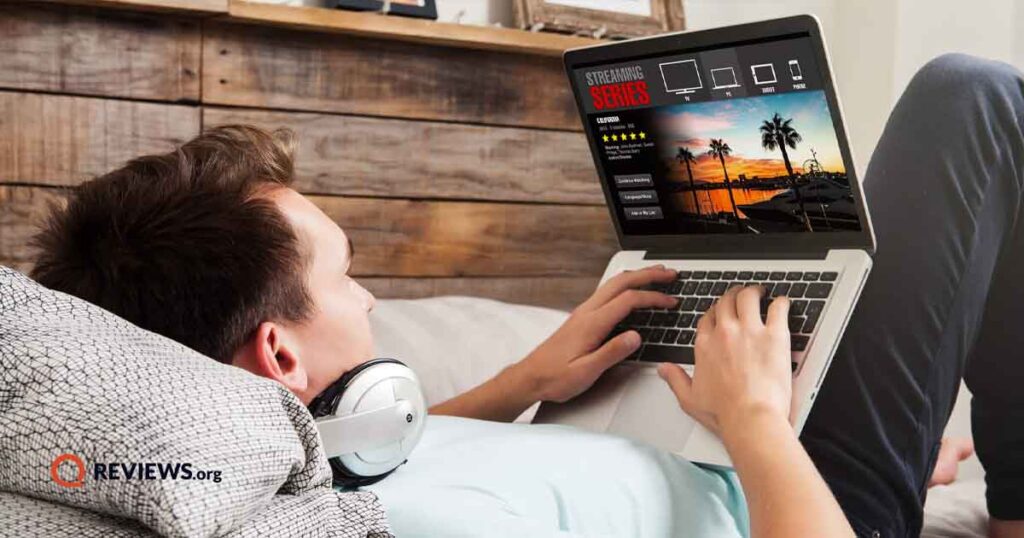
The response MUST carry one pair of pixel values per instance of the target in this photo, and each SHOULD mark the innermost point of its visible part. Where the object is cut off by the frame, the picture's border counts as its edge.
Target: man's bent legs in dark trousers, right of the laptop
(945, 188)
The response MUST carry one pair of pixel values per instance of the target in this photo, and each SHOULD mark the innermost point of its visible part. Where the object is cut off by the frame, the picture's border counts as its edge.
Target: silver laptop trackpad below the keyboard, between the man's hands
(650, 412)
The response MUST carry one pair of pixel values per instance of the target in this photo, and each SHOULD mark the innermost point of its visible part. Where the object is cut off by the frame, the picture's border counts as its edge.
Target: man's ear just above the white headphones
(271, 354)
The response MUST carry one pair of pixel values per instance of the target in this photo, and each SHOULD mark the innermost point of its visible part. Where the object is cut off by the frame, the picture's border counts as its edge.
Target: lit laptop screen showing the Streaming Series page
(738, 140)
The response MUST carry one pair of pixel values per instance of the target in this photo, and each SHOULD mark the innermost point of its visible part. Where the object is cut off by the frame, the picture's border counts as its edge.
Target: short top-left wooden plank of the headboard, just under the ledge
(100, 53)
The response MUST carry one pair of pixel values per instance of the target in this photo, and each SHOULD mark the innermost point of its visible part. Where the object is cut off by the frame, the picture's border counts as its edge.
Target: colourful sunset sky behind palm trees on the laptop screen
(738, 122)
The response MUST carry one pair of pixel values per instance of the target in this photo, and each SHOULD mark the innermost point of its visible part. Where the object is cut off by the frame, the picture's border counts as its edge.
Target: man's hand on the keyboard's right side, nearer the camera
(742, 367)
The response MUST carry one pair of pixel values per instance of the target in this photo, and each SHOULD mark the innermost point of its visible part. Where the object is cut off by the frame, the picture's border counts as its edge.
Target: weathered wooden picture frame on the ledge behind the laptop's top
(609, 19)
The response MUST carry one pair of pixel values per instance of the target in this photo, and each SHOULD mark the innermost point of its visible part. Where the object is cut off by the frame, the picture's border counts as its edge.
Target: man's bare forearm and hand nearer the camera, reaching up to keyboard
(742, 389)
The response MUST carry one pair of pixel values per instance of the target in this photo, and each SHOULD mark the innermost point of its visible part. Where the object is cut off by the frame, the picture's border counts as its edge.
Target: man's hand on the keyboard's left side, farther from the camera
(572, 359)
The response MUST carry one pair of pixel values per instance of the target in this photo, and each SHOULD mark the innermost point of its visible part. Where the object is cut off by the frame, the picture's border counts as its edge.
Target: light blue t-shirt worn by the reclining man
(475, 478)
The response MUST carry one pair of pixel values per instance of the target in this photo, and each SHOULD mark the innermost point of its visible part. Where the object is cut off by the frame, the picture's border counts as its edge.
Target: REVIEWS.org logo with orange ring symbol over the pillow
(75, 468)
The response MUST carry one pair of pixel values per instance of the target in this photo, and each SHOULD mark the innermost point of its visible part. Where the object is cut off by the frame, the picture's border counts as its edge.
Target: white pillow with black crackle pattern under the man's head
(99, 415)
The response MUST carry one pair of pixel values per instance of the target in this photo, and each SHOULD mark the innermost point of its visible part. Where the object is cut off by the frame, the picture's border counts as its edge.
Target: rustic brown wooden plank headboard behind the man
(456, 169)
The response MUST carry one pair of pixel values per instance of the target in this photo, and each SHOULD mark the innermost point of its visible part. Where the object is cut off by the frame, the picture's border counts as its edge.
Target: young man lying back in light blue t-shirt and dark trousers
(208, 245)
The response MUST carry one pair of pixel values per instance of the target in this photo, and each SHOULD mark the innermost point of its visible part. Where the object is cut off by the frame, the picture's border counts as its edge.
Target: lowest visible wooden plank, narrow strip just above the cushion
(556, 293)
